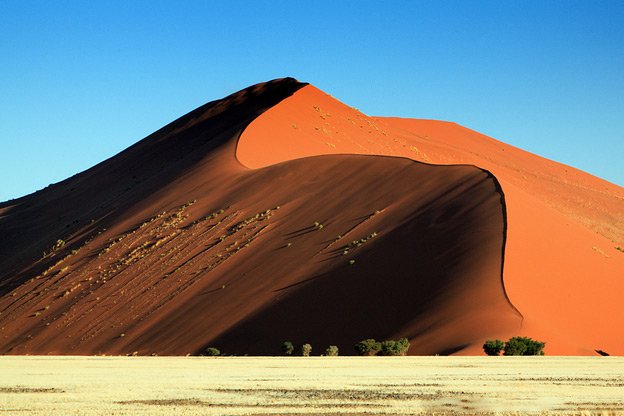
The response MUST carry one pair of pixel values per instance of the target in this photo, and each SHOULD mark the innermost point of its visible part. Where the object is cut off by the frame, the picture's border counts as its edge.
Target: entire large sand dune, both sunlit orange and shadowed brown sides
(196, 237)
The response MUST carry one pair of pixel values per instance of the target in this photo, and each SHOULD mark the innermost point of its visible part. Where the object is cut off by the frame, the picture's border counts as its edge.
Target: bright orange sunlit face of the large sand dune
(562, 268)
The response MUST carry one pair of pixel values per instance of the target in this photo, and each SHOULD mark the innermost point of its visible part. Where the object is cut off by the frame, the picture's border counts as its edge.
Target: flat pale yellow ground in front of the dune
(317, 385)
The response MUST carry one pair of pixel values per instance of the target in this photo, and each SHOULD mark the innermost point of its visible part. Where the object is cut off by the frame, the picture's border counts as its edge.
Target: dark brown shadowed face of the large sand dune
(173, 245)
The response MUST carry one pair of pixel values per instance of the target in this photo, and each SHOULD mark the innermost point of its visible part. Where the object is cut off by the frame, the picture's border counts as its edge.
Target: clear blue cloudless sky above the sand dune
(82, 80)
